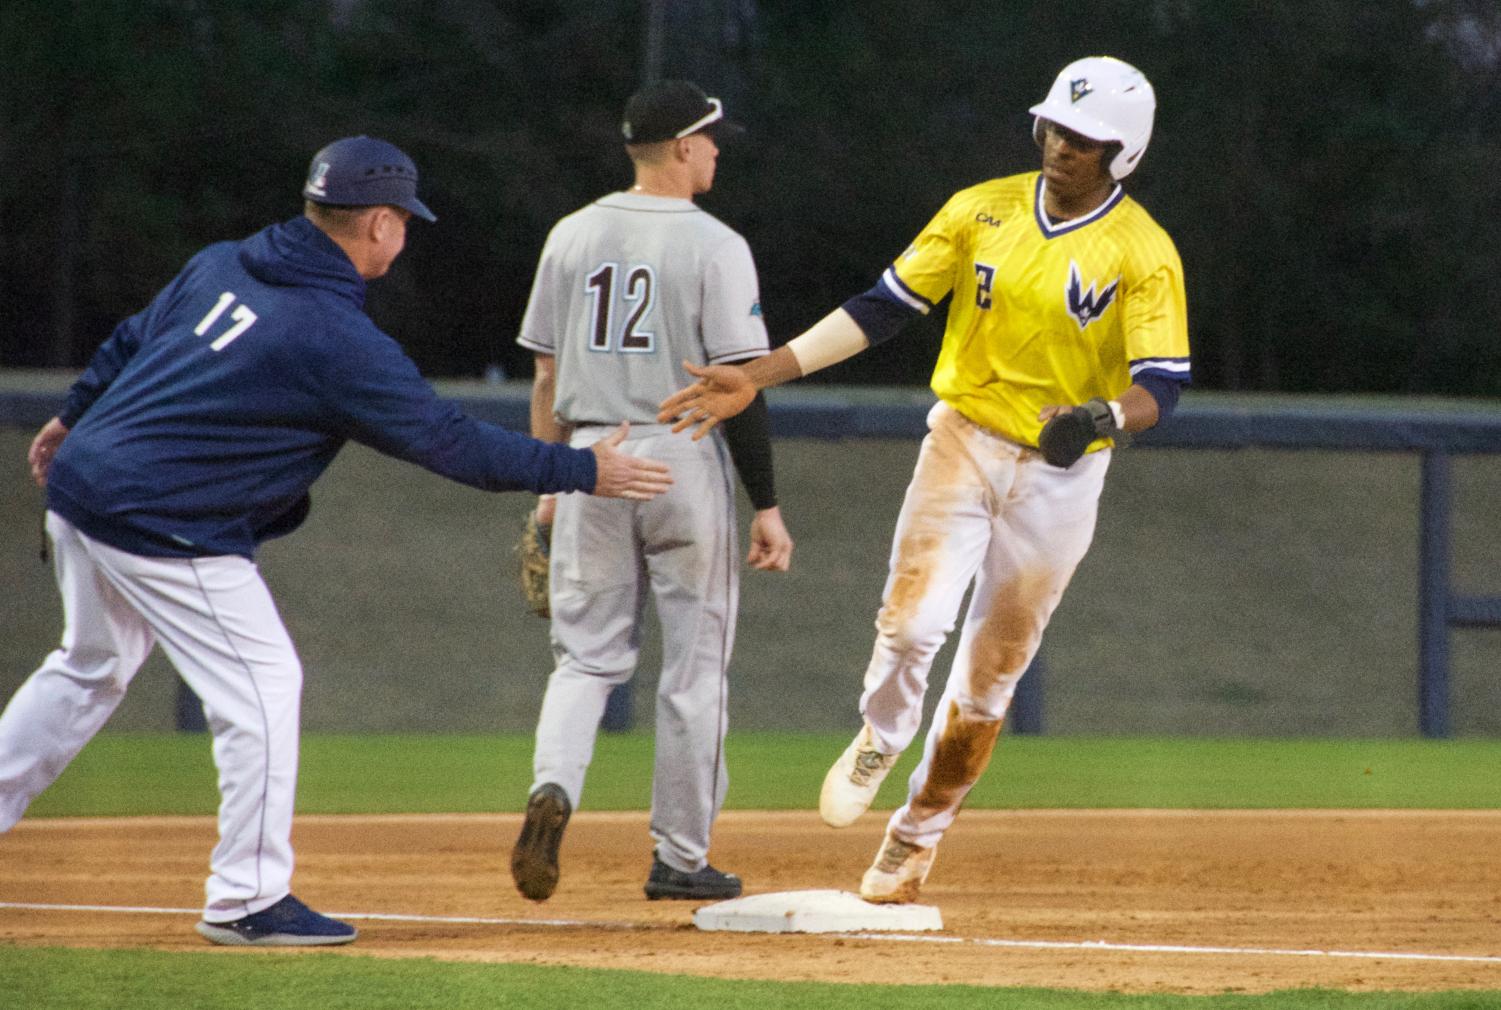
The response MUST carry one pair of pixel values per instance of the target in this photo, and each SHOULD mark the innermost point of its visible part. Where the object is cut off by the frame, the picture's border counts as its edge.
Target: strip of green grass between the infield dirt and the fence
(173, 774)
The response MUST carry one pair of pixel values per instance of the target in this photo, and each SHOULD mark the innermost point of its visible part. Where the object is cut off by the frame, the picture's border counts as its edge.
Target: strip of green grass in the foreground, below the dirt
(44, 979)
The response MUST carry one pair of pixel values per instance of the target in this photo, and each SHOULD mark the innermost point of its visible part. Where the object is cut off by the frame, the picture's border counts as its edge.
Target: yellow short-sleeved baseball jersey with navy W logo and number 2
(1044, 313)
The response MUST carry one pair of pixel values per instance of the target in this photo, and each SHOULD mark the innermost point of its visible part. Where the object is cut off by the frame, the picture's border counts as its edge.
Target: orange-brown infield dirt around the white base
(1209, 901)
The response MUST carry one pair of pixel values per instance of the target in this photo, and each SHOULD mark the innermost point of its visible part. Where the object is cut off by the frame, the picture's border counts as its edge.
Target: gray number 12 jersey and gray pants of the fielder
(627, 290)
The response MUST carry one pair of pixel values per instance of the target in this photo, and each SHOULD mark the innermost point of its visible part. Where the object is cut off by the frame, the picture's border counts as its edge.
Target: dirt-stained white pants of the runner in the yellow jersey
(988, 511)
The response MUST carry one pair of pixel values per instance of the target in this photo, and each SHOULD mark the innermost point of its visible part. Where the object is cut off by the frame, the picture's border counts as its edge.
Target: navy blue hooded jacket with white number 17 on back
(202, 422)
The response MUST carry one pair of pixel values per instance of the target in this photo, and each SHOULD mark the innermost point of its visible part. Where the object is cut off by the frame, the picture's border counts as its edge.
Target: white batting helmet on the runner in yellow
(1105, 100)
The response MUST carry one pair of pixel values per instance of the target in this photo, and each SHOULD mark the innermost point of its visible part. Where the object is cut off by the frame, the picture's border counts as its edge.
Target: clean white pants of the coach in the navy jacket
(218, 625)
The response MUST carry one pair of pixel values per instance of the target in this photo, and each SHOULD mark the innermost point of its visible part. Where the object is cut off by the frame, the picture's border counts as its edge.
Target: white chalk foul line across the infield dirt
(900, 939)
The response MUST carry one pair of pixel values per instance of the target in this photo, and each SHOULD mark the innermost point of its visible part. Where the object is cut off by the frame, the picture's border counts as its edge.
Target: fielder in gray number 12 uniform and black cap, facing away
(628, 289)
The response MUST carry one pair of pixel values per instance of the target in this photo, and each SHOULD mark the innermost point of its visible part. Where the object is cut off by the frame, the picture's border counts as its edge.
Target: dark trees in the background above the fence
(1328, 167)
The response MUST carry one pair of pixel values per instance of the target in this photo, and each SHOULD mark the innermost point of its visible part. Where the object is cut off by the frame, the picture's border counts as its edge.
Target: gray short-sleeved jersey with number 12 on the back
(631, 287)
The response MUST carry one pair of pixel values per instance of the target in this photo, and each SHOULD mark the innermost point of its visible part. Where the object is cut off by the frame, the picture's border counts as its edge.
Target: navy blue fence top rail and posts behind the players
(1434, 430)
